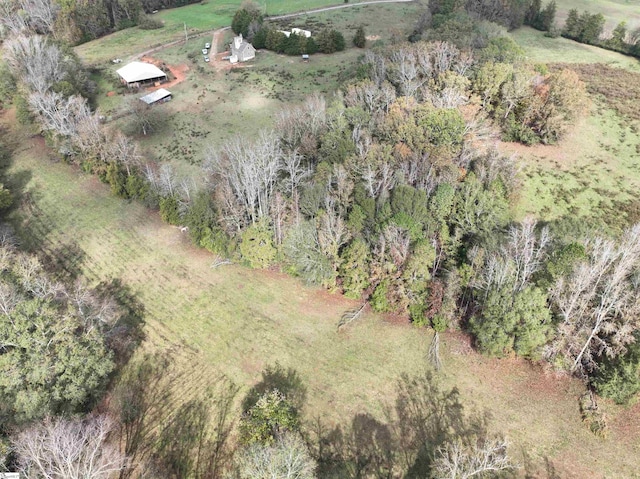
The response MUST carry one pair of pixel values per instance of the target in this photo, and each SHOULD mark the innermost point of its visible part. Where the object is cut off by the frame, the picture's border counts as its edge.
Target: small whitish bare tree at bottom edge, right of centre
(455, 461)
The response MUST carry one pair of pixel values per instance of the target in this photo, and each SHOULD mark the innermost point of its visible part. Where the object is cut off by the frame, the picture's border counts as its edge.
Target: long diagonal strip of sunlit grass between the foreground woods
(234, 321)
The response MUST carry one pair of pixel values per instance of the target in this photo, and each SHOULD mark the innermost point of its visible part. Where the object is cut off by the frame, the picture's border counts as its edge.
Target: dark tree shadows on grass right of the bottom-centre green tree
(422, 418)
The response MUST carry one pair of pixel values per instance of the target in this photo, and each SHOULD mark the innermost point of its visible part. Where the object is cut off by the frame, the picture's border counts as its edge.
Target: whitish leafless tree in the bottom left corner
(68, 449)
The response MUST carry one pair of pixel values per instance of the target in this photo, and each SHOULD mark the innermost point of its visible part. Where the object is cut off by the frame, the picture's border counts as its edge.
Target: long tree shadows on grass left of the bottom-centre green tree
(165, 436)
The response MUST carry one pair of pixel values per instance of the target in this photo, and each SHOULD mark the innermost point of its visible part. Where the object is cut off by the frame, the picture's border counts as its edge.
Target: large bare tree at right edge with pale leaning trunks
(599, 302)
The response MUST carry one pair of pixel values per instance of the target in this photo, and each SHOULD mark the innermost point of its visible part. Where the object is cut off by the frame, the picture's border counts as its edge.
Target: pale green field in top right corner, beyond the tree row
(615, 11)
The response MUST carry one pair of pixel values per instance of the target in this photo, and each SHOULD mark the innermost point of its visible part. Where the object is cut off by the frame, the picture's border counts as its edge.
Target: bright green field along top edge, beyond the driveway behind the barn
(204, 16)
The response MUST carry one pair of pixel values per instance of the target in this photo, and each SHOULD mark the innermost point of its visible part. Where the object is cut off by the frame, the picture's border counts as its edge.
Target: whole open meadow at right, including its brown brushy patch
(593, 173)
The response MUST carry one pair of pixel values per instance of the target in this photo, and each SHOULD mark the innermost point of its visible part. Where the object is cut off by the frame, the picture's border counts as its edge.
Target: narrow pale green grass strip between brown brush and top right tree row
(541, 49)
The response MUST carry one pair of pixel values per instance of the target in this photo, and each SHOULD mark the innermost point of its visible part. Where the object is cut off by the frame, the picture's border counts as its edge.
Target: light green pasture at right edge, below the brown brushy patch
(594, 172)
